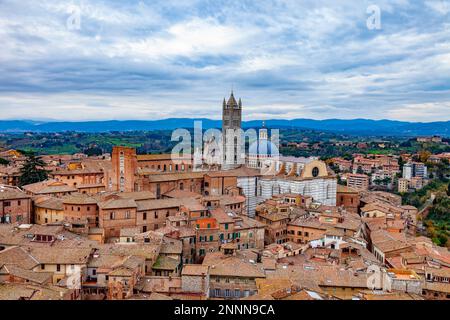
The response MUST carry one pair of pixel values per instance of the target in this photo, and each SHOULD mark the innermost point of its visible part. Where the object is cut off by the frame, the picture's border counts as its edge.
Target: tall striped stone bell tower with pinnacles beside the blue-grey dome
(231, 137)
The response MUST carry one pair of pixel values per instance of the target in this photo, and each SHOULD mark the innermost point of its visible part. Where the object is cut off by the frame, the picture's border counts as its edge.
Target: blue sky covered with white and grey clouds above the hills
(89, 60)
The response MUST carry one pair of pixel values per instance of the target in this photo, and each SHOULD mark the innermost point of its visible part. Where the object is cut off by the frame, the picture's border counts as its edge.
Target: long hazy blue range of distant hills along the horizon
(354, 127)
